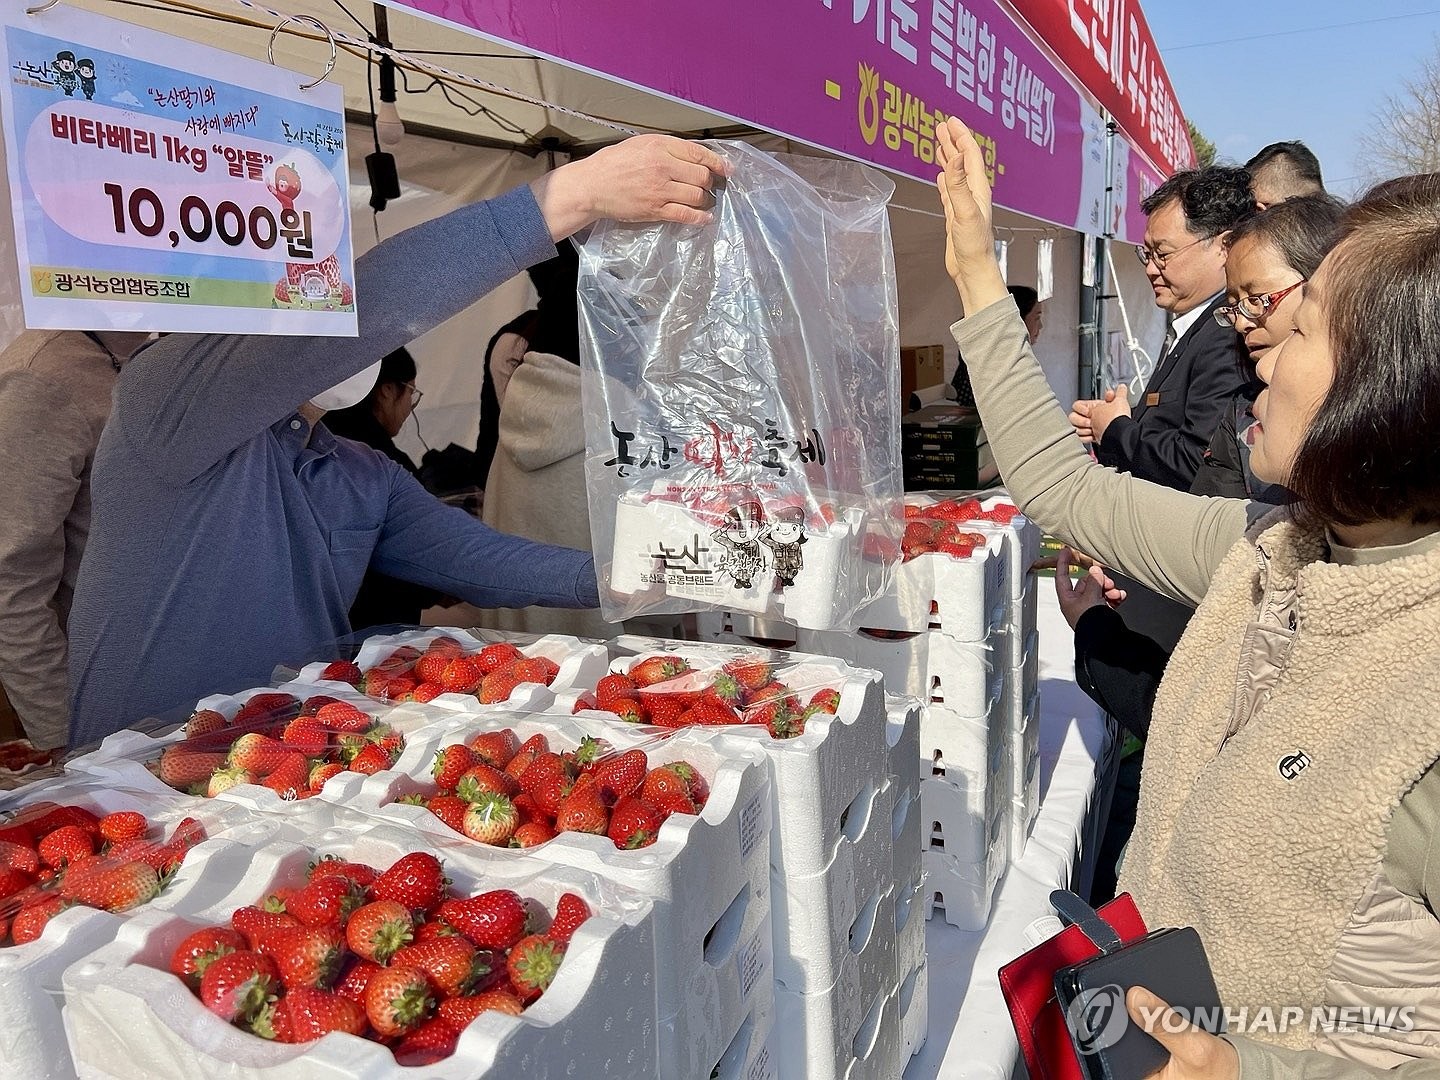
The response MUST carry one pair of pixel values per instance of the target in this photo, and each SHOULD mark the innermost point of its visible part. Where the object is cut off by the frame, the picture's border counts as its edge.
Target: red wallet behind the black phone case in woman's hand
(1029, 987)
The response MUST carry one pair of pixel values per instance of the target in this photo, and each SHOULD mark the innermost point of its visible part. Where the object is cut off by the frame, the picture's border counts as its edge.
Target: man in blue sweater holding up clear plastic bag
(231, 532)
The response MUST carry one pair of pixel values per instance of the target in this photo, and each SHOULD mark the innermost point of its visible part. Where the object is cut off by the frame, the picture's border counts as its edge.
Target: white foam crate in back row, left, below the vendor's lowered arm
(580, 663)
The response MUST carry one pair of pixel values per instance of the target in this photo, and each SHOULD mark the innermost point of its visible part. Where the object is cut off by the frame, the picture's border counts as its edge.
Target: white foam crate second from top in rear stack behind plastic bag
(963, 676)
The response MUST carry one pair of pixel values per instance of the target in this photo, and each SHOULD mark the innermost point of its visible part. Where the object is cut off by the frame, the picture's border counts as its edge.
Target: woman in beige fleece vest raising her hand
(1288, 807)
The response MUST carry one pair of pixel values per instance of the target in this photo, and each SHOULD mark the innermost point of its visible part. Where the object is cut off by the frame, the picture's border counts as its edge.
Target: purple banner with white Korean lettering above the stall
(866, 78)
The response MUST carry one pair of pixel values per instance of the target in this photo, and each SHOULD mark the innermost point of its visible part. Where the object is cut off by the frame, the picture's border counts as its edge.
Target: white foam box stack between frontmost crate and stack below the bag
(708, 876)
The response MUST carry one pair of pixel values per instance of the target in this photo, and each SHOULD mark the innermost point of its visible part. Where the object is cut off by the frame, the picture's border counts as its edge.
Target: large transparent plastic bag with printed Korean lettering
(742, 398)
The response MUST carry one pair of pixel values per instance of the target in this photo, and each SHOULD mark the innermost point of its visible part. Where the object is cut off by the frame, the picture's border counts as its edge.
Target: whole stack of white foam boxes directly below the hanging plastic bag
(834, 803)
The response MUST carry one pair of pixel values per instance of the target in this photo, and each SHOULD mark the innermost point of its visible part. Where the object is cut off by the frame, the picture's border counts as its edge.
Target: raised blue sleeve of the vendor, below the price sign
(189, 400)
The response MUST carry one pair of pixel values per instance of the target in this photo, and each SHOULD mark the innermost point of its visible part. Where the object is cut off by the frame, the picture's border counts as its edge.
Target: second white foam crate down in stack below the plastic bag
(826, 921)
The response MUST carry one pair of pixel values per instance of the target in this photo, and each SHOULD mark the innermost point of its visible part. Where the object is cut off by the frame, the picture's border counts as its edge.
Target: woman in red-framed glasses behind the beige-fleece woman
(1268, 260)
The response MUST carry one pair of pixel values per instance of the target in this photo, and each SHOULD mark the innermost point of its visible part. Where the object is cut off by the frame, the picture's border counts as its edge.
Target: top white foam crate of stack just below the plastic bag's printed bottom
(816, 778)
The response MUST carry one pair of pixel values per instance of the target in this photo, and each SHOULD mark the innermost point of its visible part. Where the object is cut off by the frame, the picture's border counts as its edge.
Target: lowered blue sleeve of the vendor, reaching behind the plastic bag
(447, 549)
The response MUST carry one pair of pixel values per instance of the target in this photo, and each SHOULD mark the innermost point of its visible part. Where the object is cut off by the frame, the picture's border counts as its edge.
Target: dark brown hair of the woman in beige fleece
(1372, 451)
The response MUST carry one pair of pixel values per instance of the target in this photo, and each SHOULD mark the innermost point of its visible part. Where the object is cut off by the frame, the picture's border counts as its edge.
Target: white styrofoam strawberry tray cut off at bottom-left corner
(32, 1040)
